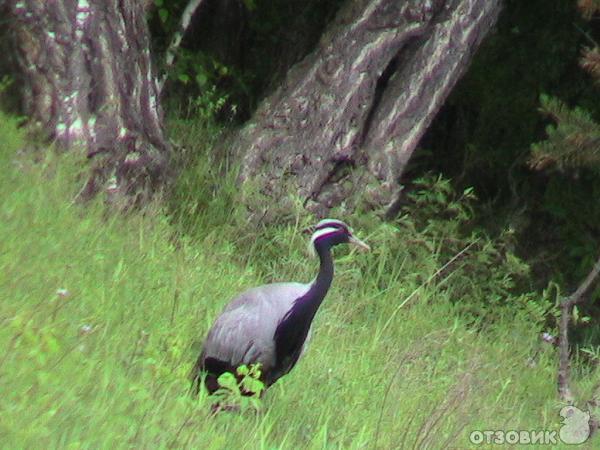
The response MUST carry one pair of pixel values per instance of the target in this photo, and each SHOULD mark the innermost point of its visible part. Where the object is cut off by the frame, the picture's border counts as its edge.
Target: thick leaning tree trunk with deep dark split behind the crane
(343, 125)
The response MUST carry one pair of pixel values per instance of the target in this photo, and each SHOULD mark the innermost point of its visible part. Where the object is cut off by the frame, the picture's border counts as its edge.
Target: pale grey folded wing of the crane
(243, 333)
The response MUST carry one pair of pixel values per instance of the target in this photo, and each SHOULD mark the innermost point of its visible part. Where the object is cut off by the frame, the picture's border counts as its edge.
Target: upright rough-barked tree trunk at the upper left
(87, 82)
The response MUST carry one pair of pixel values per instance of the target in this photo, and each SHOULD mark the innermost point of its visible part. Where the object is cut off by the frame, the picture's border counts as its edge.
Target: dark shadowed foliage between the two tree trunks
(233, 54)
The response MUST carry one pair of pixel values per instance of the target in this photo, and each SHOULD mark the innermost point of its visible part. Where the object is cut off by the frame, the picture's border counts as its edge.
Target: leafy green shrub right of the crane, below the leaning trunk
(456, 260)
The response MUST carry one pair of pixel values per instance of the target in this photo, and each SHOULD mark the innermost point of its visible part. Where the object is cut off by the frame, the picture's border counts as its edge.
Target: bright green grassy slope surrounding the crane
(102, 317)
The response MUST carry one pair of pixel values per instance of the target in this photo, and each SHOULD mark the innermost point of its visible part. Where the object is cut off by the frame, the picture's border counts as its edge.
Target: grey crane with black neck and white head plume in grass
(270, 324)
